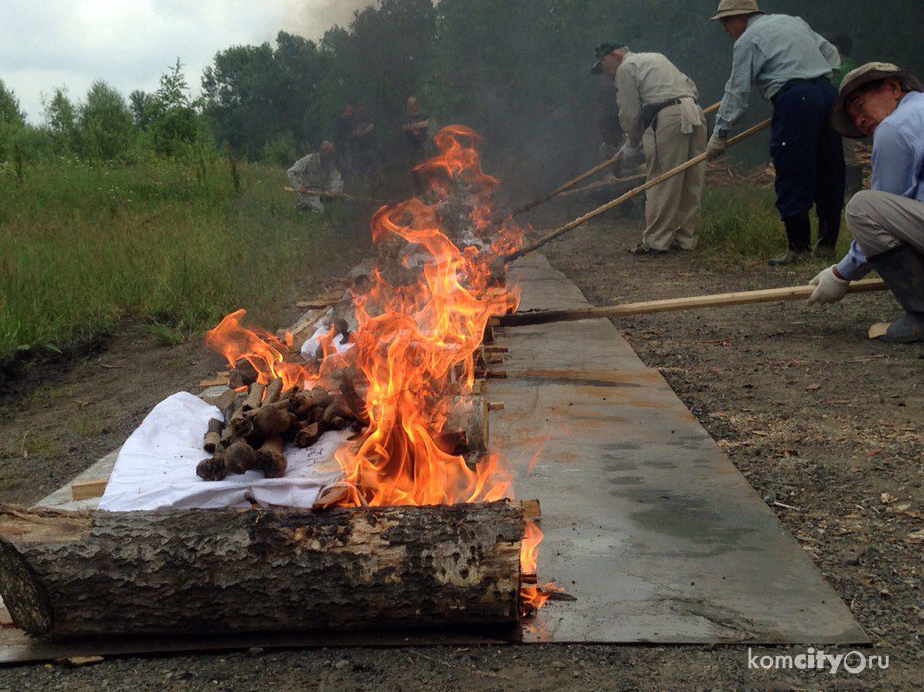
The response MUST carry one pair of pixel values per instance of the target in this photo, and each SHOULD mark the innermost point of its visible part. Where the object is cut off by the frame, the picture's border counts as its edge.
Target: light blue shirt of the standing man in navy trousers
(774, 49)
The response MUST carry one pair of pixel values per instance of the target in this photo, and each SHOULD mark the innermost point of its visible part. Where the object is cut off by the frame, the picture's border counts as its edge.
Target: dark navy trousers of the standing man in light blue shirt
(807, 153)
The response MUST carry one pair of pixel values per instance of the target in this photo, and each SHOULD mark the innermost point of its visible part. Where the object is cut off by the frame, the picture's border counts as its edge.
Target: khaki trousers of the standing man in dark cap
(673, 211)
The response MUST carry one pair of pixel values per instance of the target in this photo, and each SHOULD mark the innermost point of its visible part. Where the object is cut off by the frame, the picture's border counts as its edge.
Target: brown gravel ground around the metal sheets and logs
(823, 423)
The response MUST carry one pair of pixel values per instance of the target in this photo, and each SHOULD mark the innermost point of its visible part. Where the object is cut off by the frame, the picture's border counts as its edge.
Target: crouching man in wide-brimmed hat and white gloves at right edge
(887, 222)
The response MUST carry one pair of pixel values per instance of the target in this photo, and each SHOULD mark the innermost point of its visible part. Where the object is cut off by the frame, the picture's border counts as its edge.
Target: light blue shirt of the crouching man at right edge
(898, 167)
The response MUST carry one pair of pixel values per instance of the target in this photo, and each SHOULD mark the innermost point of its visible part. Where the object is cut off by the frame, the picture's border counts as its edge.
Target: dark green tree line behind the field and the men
(517, 71)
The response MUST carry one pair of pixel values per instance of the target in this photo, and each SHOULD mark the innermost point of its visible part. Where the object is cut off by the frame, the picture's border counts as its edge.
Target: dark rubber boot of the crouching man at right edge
(902, 268)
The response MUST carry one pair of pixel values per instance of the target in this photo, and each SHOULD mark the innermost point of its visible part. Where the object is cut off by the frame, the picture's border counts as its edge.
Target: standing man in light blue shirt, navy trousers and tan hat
(791, 65)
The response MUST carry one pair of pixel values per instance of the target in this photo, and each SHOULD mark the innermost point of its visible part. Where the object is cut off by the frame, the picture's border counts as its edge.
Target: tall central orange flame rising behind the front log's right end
(415, 345)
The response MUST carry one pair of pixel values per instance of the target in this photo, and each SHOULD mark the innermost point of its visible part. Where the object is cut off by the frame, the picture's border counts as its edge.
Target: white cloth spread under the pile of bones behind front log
(156, 467)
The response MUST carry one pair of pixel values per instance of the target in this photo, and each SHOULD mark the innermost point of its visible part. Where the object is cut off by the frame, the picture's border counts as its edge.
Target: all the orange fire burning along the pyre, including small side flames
(414, 346)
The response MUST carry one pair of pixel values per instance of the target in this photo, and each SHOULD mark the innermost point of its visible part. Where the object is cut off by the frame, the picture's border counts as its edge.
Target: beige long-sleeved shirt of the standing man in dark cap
(645, 79)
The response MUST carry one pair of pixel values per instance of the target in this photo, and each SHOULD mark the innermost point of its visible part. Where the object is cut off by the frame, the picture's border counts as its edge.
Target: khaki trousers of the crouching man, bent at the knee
(880, 221)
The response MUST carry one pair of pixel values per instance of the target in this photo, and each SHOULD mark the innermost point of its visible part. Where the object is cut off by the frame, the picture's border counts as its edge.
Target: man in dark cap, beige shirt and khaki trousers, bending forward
(658, 111)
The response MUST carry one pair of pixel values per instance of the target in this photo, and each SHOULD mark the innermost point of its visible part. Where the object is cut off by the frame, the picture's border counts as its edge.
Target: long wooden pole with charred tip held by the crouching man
(674, 304)
